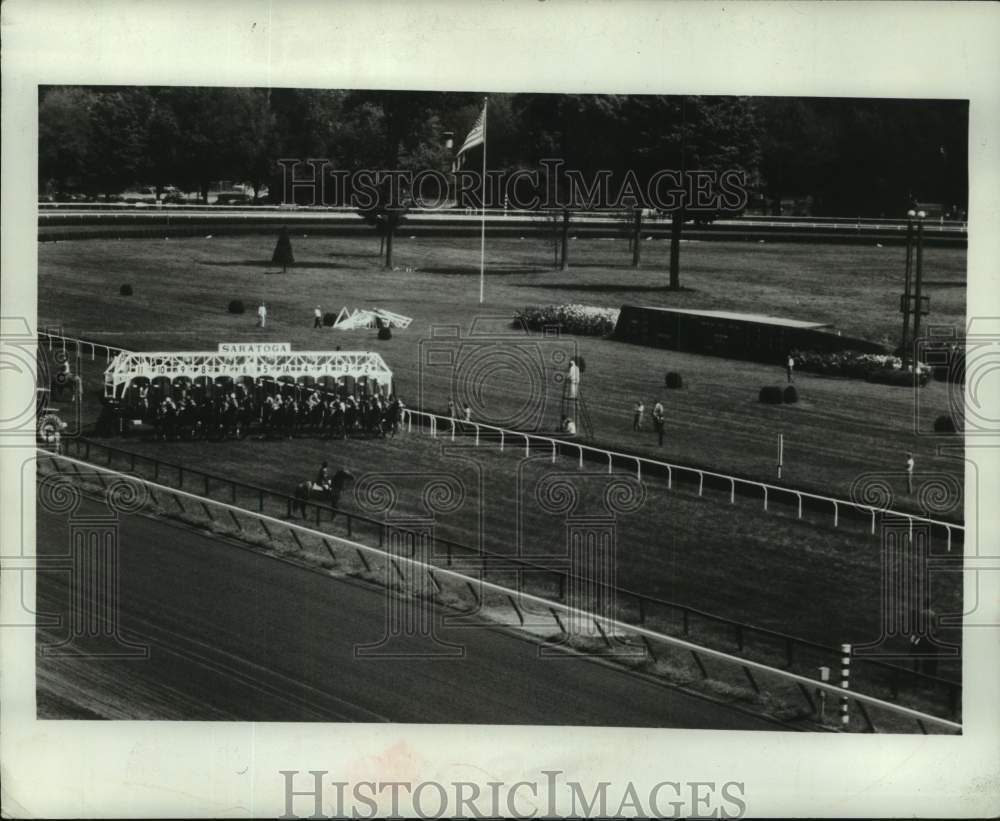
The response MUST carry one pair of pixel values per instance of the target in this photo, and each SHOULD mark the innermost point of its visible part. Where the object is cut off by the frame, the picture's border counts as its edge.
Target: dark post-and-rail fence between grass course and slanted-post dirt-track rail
(633, 607)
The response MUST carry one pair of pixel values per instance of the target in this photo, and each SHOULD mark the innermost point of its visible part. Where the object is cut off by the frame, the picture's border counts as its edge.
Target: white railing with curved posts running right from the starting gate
(553, 447)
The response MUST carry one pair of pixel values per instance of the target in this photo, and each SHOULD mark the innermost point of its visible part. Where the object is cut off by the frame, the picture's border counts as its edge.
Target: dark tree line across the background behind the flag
(846, 157)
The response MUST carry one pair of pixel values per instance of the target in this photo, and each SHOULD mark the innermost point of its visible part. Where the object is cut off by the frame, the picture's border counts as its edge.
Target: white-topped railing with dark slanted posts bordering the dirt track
(780, 683)
